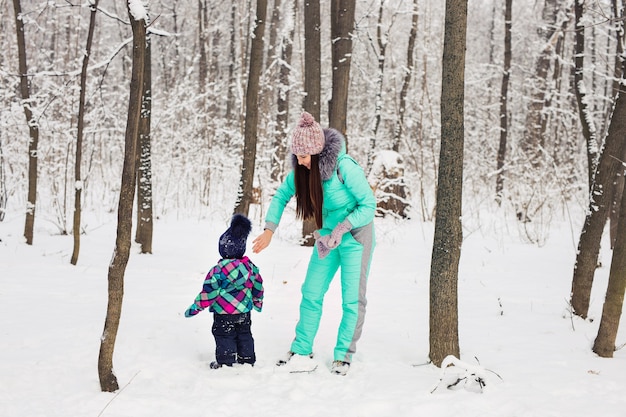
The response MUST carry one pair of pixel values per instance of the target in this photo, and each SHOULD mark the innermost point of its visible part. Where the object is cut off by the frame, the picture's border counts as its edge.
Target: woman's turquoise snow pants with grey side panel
(353, 256)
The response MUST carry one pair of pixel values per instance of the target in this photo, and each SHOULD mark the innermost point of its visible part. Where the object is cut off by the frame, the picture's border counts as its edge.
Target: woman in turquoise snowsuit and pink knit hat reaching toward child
(331, 188)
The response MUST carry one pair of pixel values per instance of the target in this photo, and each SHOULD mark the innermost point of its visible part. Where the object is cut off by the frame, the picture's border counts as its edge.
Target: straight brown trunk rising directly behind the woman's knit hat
(312, 84)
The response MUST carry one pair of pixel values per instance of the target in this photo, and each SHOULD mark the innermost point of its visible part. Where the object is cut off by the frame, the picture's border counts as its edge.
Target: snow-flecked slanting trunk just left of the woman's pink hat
(282, 100)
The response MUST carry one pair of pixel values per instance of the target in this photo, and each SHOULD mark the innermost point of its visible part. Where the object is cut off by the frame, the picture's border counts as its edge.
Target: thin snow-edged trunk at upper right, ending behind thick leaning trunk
(586, 118)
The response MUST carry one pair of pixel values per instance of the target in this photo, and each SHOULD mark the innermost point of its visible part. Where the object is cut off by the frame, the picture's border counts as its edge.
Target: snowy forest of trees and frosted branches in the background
(543, 117)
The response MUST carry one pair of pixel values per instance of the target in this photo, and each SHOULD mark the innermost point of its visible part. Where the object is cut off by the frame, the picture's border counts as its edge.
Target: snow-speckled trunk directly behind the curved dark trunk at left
(145, 223)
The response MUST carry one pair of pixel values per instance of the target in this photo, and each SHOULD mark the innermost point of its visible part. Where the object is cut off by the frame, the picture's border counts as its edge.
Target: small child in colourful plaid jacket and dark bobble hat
(231, 290)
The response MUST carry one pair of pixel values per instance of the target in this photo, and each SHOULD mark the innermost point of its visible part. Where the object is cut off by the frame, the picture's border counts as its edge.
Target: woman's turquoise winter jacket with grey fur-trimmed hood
(347, 194)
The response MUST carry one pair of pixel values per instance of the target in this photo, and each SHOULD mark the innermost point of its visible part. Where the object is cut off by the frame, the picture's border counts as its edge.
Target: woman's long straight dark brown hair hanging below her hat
(309, 196)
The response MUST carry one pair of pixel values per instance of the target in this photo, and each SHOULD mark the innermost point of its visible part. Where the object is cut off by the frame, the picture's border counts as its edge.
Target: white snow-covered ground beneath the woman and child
(513, 315)
